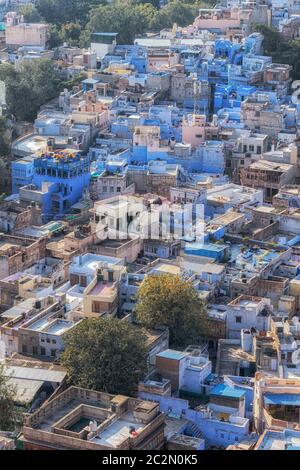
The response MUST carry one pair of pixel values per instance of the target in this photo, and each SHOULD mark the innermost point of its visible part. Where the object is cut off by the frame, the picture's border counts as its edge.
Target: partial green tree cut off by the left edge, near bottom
(8, 414)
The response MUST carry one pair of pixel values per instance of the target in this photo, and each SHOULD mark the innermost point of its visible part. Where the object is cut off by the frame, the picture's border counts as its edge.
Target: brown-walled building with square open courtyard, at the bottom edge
(83, 419)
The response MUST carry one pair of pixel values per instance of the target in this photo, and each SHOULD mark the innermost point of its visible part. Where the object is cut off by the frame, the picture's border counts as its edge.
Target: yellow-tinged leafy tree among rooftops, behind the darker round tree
(168, 300)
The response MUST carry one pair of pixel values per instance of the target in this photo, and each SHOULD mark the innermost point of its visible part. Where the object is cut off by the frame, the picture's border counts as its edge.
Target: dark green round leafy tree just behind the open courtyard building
(105, 354)
